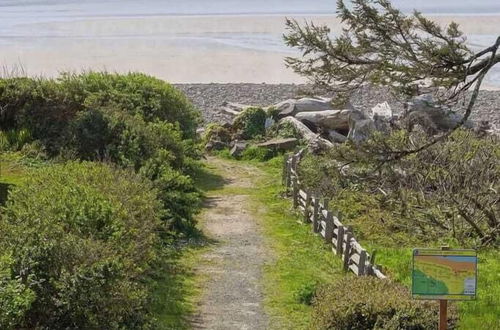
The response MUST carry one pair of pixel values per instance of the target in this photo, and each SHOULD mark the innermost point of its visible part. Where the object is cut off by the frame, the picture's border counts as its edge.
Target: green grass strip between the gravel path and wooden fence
(301, 259)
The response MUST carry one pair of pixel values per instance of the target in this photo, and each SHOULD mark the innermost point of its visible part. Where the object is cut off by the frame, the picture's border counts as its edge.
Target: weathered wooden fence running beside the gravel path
(327, 224)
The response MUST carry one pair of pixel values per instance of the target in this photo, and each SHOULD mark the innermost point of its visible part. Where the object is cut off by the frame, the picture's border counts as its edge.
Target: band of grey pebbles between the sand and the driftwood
(209, 98)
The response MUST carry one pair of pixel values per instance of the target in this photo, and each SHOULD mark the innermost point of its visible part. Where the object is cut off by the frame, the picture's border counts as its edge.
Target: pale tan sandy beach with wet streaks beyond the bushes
(182, 49)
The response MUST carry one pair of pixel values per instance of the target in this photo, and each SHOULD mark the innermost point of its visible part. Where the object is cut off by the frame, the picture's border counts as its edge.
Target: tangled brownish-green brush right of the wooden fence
(447, 191)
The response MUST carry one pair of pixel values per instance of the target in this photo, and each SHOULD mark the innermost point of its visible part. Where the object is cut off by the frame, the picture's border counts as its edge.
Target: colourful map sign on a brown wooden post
(444, 274)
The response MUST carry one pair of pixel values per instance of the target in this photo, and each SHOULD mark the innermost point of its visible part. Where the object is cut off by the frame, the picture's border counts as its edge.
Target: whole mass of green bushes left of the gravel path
(99, 172)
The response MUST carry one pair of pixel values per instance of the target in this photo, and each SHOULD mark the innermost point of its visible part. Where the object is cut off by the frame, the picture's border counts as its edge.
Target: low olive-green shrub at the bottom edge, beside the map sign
(370, 303)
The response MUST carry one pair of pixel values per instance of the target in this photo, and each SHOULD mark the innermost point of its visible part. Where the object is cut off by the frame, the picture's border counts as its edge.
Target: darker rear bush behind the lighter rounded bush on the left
(131, 120)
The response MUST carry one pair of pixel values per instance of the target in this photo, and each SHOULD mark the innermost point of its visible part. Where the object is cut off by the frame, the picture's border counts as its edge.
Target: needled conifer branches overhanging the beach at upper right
(380, 45)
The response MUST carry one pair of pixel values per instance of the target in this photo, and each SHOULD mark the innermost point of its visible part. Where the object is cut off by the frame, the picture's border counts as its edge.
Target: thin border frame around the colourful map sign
(441, 253)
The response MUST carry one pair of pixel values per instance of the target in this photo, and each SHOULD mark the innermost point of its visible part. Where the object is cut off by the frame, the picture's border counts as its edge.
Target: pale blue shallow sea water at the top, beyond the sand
(29, 21)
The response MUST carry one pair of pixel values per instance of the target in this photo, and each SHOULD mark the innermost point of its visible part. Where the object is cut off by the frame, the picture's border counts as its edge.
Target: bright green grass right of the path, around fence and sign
(301, 259)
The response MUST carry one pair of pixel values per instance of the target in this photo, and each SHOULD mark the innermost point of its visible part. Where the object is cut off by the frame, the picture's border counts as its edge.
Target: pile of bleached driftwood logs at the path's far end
(321, 124)
